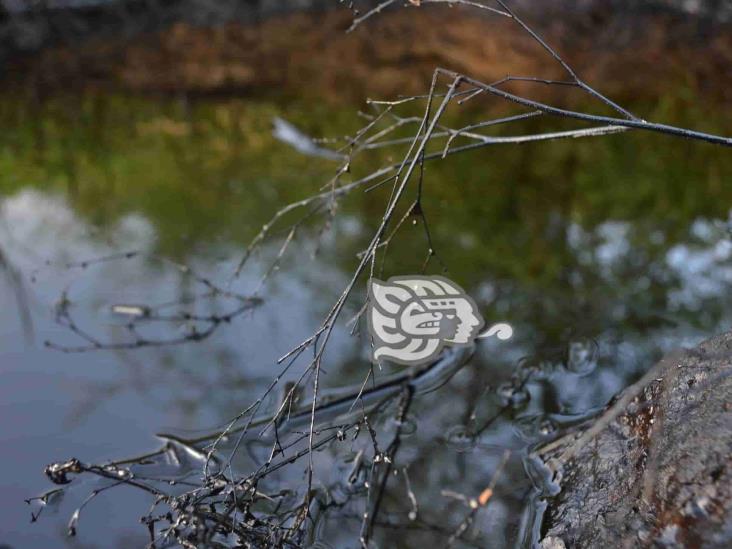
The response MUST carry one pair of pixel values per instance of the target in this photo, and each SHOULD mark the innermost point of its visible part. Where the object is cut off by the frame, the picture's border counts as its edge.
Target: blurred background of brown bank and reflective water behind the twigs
(145, 126)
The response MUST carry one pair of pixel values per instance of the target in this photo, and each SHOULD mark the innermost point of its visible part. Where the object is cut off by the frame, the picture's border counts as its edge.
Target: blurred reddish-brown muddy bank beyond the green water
(311, 54)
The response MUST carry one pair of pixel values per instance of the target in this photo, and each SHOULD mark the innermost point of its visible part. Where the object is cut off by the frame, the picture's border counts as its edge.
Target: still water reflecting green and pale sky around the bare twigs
(602, 254)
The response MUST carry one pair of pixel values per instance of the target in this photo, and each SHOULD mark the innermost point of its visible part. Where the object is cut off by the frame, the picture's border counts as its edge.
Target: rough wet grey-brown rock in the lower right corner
(660, 473)
